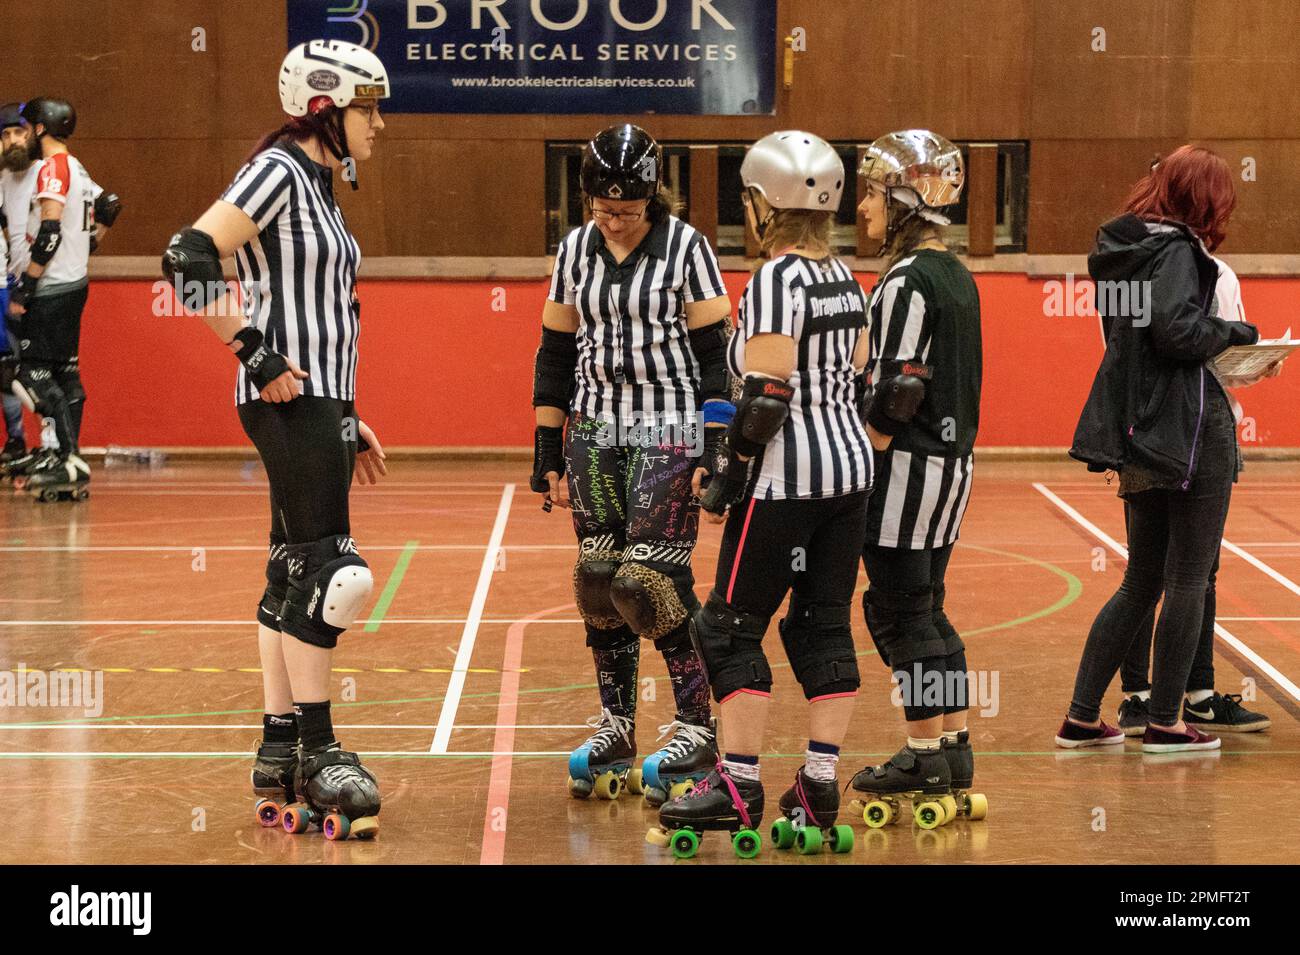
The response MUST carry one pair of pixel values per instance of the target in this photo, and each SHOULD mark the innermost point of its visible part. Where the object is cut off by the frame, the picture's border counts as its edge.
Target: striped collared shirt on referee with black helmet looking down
(634, 353)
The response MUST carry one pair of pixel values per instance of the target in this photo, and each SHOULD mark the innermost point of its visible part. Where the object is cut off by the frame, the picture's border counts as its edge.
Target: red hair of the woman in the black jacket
(1191, 186)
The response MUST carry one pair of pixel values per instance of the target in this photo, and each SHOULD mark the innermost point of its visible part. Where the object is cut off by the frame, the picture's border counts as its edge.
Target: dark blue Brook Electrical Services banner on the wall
(561, 57)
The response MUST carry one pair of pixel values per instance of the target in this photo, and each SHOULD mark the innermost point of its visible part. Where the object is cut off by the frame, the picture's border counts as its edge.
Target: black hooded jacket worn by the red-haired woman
(1149, 398)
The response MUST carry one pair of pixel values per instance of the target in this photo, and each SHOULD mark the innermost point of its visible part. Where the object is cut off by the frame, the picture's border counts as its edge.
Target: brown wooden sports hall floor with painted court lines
(470, 683)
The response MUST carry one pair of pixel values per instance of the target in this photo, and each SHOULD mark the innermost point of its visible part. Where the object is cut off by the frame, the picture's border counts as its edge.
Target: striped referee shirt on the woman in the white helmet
(298, 276)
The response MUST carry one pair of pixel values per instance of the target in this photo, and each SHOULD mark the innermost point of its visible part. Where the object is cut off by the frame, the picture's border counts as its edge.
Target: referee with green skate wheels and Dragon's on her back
(799, 474)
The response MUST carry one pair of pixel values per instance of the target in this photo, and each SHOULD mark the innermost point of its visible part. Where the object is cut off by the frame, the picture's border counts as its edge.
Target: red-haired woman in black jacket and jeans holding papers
(1160, 418)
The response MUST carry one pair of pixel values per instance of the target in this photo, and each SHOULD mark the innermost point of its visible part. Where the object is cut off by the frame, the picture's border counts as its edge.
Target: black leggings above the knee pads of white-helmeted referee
(309, 449)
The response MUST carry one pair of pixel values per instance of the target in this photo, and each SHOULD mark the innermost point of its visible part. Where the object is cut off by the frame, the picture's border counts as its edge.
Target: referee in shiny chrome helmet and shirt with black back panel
(926, 362)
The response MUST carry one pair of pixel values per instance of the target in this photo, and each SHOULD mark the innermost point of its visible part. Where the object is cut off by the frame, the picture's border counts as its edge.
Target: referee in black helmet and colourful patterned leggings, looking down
(634, 357)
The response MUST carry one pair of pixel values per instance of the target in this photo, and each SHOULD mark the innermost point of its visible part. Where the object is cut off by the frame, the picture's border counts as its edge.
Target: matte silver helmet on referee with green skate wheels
(795, 171)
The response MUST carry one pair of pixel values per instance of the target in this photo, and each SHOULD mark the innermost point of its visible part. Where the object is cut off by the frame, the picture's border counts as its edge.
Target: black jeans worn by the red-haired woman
(1173, 548)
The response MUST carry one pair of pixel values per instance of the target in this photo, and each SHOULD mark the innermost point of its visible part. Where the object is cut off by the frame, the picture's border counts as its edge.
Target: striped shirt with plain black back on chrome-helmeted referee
(926, 311)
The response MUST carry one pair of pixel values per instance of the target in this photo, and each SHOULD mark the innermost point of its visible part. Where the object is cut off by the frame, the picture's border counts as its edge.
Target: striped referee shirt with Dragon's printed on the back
(822, 450)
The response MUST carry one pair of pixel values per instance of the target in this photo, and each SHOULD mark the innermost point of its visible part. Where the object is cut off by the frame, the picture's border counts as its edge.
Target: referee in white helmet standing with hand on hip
(296, 338)
